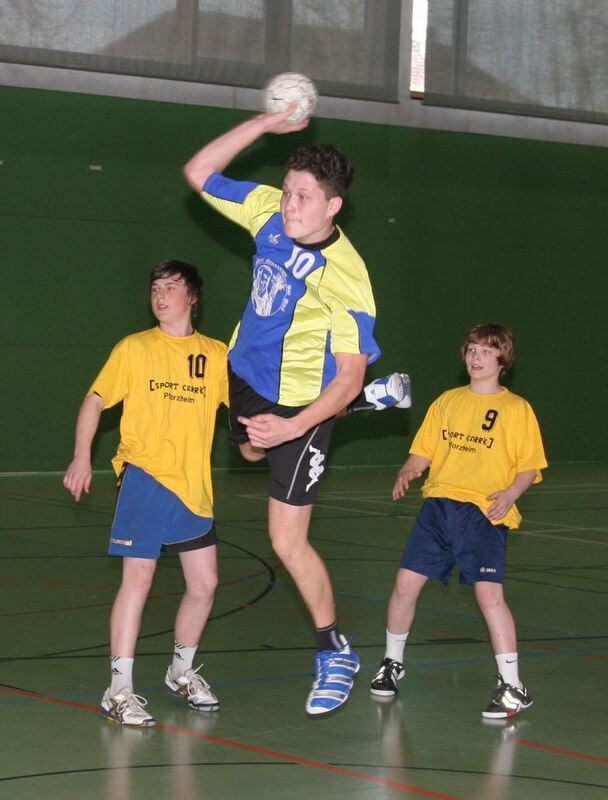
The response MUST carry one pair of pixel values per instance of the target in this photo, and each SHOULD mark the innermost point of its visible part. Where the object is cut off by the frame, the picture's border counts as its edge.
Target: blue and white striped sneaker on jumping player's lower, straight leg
(334, 674)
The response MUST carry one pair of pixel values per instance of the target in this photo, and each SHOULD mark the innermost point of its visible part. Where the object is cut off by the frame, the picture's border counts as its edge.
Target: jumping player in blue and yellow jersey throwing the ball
(299, 354)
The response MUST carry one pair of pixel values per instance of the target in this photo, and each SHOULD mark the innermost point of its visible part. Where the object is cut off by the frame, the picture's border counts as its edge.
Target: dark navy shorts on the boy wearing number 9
(448, 532)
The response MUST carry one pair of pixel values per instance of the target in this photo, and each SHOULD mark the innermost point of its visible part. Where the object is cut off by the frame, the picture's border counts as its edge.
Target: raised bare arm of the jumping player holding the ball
(215, 156)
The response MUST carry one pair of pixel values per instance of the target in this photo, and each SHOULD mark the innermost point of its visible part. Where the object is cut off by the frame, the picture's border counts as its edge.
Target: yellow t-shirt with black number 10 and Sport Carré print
(171, 388)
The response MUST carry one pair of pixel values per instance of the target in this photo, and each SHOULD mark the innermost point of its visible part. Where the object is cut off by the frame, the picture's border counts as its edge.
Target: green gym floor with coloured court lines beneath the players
(430, 741)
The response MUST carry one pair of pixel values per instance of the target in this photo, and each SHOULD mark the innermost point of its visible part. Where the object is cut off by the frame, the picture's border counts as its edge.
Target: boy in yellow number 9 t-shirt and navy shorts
(484, 449)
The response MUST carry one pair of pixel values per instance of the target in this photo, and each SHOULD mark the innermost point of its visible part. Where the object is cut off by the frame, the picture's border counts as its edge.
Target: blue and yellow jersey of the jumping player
(306, 304)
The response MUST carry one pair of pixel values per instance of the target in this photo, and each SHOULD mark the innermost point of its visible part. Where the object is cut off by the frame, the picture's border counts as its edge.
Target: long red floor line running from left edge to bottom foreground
(247, 747)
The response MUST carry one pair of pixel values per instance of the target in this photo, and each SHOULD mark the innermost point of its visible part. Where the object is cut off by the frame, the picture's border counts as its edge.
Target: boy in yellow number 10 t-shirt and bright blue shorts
(171, 380)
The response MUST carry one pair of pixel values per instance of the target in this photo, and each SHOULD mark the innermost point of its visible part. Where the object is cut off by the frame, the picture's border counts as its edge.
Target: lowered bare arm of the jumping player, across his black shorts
(269, 430)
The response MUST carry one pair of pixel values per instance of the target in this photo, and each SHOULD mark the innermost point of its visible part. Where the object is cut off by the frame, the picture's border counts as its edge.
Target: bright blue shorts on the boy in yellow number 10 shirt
(150, 518)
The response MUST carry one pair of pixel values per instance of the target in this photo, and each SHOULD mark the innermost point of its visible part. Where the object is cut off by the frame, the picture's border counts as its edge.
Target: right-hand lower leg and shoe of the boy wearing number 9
(511, 696)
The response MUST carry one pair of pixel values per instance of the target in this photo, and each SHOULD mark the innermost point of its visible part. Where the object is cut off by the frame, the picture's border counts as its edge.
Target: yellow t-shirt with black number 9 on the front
(477, 444)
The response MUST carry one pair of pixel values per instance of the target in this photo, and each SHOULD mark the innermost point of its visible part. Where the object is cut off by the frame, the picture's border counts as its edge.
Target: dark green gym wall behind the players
(456, 229)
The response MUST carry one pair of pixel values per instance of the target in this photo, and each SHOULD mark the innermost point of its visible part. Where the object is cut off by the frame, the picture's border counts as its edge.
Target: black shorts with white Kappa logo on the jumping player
(295, 466)
